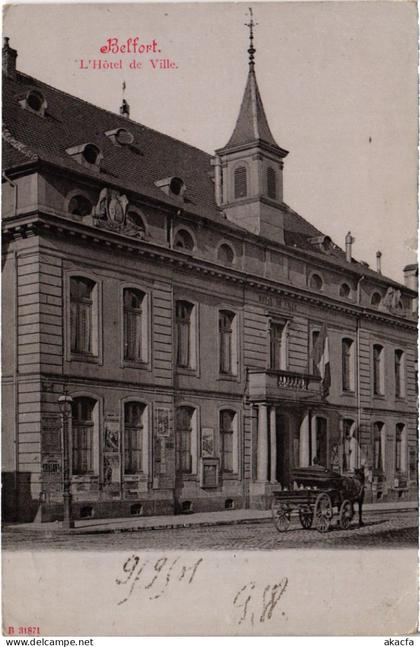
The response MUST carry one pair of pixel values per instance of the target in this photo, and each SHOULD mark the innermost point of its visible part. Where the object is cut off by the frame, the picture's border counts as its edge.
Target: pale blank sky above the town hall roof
(338, 81)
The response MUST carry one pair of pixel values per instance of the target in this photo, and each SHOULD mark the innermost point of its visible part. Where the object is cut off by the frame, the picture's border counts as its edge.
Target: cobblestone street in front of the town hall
(384, 529)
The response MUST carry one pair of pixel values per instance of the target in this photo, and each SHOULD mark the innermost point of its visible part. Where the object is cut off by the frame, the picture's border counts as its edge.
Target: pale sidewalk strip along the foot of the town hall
(223, 517)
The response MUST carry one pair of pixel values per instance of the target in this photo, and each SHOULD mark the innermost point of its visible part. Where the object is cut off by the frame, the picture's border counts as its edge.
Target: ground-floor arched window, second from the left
(133, 437)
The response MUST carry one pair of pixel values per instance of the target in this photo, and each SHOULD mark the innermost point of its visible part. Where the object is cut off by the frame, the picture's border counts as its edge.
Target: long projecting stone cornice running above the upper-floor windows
(37, 223)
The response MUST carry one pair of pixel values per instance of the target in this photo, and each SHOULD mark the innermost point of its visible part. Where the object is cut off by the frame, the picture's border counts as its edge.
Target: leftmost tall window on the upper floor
(82, 315)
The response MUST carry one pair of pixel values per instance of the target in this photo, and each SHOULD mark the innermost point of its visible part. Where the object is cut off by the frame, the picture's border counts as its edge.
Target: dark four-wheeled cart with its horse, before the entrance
(317, 496)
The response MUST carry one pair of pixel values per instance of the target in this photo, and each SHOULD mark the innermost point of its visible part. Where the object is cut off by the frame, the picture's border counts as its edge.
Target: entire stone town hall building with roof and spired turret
(210, 338)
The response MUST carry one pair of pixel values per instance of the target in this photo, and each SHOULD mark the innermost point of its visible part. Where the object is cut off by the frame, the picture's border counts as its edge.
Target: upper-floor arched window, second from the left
(134, 325)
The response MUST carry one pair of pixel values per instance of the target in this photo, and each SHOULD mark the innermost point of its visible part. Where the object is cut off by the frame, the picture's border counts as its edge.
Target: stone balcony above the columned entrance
(283, 385)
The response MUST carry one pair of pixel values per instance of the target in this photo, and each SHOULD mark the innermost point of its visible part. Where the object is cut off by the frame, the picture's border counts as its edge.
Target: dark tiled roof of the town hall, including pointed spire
(70, 121)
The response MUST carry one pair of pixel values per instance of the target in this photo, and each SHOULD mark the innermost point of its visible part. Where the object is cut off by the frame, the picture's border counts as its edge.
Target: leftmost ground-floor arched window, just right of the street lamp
(82, 435)
